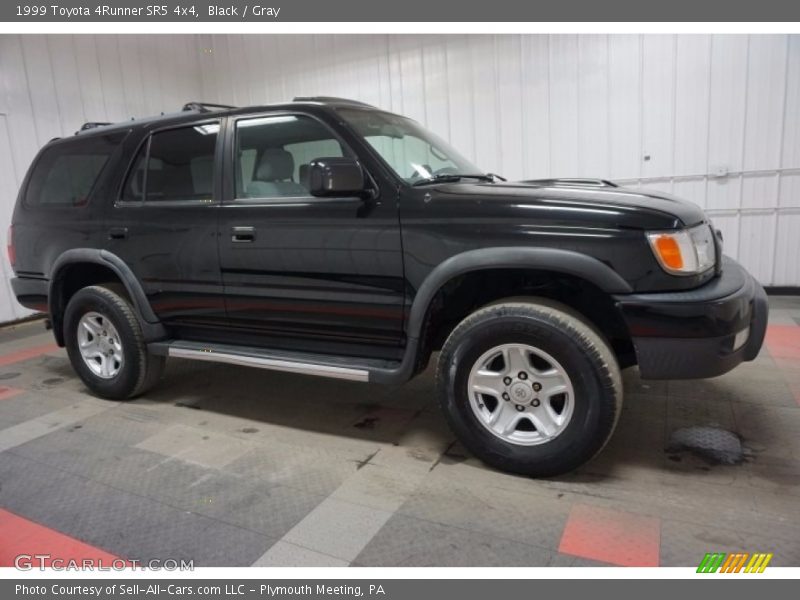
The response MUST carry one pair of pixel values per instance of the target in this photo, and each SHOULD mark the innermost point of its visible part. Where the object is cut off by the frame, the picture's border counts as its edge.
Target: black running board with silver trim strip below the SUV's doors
(337, 367)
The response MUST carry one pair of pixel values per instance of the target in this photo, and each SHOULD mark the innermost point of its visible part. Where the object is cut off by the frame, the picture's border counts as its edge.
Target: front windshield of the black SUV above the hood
(412, 152)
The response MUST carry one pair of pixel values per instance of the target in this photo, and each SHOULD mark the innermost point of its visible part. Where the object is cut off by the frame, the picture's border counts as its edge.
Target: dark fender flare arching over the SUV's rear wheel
(150, 323)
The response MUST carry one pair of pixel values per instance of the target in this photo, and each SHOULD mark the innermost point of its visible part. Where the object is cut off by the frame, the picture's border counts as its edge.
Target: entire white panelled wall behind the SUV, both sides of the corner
(718, 116)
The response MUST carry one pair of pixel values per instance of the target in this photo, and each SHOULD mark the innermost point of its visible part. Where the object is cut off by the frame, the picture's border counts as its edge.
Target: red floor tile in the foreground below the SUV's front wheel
(612, 536)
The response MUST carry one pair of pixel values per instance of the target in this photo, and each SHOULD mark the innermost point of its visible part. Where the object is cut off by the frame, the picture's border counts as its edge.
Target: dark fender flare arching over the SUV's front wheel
(555, 260)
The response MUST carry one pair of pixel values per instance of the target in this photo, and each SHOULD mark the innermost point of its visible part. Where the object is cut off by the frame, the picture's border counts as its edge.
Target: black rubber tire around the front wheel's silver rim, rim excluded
(580, 350)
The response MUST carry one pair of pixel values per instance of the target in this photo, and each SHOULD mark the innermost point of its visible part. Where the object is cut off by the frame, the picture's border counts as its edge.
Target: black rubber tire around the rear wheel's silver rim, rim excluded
(139, 371)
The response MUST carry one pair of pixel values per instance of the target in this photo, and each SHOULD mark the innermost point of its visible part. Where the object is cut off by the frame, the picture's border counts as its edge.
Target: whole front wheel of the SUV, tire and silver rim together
(529, 388)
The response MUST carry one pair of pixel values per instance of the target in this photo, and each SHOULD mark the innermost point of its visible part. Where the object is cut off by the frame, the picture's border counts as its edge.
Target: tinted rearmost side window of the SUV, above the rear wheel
(65, 174)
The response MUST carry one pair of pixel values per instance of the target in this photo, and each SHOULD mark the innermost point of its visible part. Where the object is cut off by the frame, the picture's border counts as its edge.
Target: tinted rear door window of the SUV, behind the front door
(174, 165)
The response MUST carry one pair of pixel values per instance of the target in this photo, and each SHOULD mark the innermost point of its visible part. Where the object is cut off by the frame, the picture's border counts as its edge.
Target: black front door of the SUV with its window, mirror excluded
(302, 272)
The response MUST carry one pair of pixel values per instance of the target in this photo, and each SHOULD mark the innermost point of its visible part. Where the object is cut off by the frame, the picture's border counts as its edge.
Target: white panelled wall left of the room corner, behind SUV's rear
(51, 85)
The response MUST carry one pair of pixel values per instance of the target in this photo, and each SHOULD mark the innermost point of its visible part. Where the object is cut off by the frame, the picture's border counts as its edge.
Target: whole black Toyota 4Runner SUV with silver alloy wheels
(328, 237)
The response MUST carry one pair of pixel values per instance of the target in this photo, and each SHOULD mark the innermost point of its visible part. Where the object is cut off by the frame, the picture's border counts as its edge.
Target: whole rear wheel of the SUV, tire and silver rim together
(106, 347)
